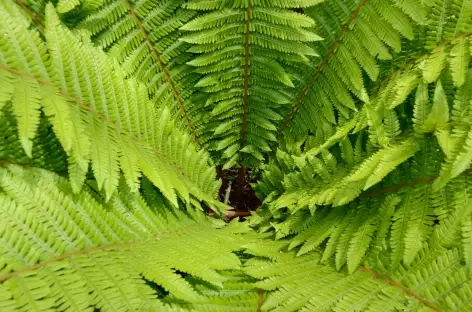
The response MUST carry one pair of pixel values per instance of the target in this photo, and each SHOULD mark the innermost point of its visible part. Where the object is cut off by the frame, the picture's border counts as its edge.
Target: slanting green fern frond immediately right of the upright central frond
(357, 34)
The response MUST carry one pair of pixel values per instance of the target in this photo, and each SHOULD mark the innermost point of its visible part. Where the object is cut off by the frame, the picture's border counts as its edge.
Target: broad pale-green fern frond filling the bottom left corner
(65, 250)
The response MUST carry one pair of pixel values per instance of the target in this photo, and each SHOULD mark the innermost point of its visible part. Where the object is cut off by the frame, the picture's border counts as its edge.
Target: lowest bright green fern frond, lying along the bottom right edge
(303, 284)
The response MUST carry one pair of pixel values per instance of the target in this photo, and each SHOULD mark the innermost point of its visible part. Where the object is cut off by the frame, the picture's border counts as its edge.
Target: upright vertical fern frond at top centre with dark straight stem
(247, 85)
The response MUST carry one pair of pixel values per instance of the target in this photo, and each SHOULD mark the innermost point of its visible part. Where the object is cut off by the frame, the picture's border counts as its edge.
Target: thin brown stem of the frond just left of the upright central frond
(164, 71)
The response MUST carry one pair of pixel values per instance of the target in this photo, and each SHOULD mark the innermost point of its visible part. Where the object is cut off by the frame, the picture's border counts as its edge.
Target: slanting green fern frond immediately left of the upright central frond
(144, 37)
